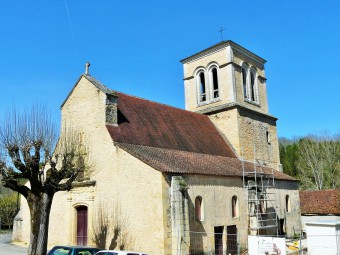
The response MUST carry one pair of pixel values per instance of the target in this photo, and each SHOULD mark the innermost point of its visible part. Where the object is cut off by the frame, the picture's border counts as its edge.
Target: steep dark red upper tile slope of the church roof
(158, 125)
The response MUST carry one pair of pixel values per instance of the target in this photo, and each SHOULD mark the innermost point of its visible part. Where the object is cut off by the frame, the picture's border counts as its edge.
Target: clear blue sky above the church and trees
(135, 47)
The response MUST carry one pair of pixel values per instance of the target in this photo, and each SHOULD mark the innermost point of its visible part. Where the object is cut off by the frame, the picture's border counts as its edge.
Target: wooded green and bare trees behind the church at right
(314, 160)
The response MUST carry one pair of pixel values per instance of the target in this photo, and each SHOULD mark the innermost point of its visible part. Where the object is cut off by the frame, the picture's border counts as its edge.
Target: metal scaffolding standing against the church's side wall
(261, 199)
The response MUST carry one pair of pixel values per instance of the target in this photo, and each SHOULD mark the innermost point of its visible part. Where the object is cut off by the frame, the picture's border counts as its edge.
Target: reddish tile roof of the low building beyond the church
(320, 202)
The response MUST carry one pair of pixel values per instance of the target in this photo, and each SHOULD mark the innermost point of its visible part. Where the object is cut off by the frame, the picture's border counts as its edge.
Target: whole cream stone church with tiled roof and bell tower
(172, 181)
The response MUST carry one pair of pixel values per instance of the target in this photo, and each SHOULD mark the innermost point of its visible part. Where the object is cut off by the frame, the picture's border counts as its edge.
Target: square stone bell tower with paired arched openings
(227, 82)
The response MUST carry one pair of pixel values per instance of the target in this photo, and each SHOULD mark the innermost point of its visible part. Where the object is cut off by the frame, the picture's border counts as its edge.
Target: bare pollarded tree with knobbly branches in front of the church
(32, 151)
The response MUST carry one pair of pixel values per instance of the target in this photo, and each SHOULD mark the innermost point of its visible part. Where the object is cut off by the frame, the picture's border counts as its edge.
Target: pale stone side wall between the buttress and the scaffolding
(216, 193)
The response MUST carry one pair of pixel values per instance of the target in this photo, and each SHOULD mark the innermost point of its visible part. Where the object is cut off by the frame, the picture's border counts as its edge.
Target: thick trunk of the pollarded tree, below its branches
(40, 207)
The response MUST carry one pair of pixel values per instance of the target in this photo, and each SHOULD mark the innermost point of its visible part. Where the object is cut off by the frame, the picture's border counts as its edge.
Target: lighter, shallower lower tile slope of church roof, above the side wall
(175, 161)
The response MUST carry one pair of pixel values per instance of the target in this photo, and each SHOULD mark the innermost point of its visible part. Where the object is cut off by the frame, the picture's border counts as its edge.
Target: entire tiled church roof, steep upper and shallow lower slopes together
(173, 140)
